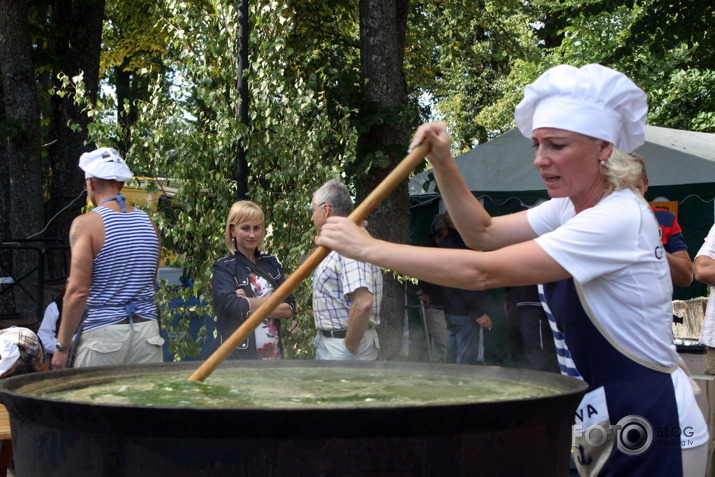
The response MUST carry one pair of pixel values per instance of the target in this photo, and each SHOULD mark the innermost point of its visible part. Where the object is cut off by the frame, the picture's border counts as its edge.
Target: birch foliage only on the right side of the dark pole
(299, 137)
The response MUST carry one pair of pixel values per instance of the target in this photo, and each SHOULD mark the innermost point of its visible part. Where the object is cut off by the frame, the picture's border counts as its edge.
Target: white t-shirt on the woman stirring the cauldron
(614, 253)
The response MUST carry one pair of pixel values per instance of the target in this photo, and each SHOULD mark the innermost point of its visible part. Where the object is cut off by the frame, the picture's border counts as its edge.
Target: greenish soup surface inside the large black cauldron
(302, 388)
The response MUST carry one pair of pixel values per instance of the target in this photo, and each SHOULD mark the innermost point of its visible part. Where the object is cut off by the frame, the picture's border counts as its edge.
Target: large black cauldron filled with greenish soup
(509, 438)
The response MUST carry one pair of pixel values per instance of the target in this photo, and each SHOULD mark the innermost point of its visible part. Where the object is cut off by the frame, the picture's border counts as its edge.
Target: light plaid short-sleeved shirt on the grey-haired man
(334, 280)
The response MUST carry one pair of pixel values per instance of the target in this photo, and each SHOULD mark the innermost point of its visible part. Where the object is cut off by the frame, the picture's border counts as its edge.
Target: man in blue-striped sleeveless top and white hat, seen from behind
(109, 301)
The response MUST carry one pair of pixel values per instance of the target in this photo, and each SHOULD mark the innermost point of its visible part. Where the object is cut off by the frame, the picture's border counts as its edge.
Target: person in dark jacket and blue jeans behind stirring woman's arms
(465, 312)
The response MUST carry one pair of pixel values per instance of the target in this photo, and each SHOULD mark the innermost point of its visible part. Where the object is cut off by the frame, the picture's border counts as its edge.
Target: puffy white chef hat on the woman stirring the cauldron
(593, 100)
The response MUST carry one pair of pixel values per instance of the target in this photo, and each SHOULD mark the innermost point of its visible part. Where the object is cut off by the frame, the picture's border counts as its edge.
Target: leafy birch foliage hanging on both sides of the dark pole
(189, 130)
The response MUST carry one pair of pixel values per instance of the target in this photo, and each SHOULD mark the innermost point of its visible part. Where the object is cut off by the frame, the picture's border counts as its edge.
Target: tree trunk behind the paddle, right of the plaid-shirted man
(383, 26)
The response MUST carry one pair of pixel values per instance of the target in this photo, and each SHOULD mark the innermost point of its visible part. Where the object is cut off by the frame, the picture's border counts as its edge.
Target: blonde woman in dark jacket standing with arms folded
(243, 280)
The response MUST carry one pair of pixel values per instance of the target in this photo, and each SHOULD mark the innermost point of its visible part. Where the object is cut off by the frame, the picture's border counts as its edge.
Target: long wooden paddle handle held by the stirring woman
(400, 173)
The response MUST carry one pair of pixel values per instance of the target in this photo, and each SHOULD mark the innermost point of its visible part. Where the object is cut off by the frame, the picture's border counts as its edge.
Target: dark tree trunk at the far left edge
(22, 177)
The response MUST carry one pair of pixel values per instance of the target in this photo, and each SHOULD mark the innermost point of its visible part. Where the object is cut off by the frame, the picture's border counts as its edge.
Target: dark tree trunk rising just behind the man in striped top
(78, 51)
